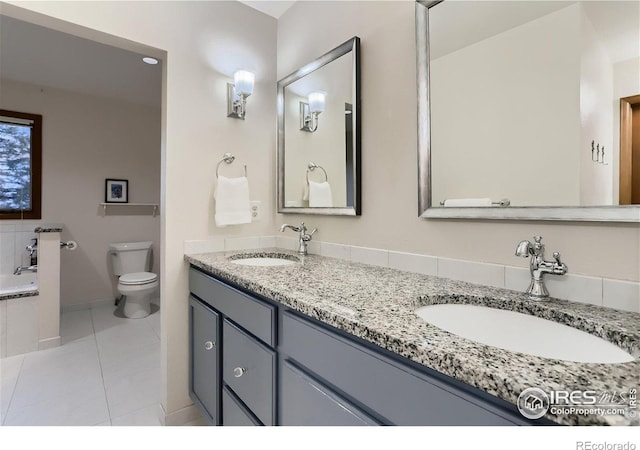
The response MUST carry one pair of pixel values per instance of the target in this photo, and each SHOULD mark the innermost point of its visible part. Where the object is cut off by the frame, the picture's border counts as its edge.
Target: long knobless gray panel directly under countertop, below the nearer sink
(398, 394)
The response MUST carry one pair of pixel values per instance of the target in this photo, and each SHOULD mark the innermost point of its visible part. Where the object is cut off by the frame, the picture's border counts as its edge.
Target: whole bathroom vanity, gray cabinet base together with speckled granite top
(331, 342)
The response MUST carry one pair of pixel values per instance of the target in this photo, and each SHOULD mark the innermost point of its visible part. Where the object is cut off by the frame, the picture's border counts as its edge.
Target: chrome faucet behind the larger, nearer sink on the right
(538, 266)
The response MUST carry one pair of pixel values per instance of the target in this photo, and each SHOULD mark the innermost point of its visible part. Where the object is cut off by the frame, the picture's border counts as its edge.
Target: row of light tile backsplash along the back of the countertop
(618, 294)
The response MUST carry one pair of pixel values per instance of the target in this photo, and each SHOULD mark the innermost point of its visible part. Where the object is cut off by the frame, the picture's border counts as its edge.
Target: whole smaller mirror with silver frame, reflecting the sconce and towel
(319, 135)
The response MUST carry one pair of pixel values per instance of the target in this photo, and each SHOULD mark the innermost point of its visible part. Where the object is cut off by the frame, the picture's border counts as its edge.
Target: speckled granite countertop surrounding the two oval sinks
(377, 304)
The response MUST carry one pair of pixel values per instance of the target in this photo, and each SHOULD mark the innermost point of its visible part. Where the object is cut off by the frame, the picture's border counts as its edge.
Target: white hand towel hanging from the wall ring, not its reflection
(232, 201)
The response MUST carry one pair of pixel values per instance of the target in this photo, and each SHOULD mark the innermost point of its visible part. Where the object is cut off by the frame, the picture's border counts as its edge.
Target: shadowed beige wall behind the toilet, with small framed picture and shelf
(87, 139)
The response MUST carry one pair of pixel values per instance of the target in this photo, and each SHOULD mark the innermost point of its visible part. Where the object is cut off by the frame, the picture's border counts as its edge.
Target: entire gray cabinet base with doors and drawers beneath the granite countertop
(255, 362)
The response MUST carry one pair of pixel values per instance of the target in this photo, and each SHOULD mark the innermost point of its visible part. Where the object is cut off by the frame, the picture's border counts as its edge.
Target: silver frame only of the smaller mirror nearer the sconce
(352, 45)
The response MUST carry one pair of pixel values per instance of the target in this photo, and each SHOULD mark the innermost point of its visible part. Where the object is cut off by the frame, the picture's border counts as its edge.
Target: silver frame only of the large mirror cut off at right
(614, 213)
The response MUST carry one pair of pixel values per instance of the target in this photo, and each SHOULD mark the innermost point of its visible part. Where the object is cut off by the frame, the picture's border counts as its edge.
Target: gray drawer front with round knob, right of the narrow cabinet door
(249, 369)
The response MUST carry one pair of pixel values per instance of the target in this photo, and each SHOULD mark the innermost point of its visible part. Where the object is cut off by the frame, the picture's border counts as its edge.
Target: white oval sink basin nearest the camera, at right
(523, 333)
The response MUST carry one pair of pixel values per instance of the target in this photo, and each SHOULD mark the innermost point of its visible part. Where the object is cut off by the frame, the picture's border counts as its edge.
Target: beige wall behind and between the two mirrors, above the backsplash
(389, 179)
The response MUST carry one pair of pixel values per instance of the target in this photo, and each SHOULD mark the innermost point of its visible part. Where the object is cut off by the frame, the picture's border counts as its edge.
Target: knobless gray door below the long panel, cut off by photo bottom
(307, 401)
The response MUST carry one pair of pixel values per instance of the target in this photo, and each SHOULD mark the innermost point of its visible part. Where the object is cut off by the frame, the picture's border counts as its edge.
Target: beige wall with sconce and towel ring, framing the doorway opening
(205, 42)
